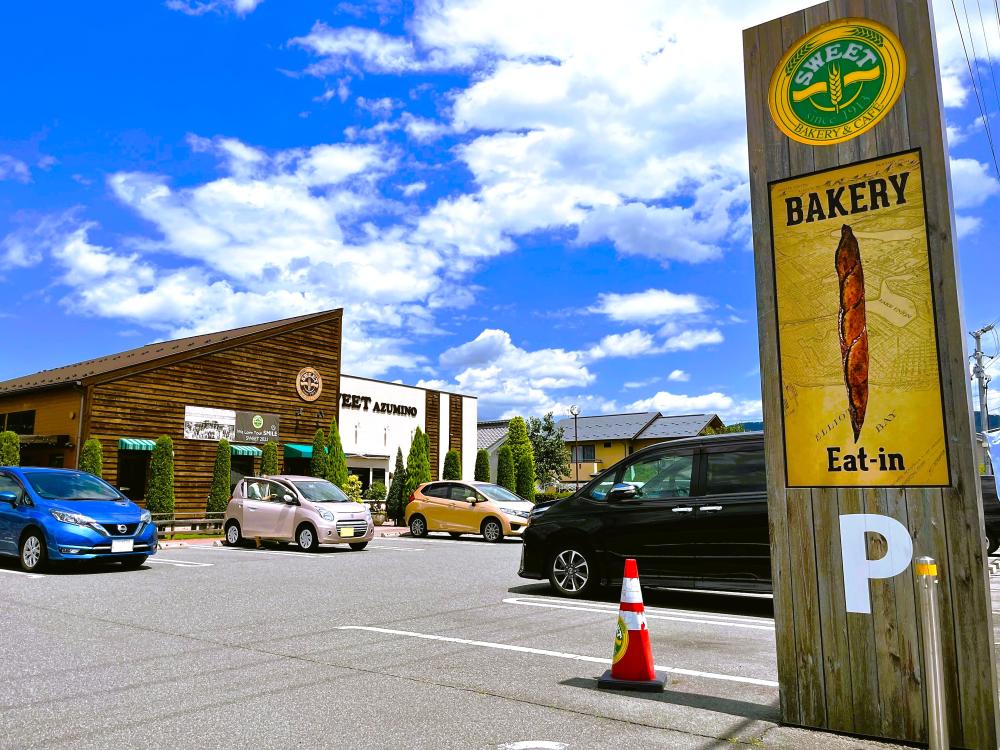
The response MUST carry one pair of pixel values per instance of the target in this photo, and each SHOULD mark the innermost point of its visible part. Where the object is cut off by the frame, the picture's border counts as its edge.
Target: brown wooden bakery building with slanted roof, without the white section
(285, 373)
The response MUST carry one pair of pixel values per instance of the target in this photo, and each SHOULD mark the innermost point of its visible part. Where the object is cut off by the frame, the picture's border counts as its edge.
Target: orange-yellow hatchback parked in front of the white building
(467, 508)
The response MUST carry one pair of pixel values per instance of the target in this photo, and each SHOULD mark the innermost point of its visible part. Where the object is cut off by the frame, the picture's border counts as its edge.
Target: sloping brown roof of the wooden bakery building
(190, 346)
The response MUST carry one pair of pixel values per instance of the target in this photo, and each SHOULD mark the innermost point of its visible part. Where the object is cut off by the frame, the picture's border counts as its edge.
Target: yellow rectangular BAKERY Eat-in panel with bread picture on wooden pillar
(861, 390)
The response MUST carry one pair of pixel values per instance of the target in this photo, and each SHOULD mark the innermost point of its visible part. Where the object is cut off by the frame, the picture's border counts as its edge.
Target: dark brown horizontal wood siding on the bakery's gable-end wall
(256, 376)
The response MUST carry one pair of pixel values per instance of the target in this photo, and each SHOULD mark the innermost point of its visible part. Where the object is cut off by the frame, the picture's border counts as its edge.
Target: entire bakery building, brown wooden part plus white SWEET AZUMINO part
(277, 381)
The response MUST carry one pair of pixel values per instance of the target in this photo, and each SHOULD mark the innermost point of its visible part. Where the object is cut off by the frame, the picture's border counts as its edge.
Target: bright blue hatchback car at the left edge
(60, 514)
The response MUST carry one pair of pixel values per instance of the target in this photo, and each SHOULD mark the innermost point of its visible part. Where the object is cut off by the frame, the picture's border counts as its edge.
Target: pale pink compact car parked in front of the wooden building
(305, 510)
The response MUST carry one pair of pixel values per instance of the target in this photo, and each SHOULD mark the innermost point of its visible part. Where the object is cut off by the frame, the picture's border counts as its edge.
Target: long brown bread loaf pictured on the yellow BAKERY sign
(853, 327)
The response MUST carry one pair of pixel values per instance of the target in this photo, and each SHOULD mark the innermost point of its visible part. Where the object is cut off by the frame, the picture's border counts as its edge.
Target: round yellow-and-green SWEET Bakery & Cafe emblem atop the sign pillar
(837, 82)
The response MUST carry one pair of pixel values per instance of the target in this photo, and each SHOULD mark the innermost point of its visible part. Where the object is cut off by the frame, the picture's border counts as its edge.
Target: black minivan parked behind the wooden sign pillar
(693, 513)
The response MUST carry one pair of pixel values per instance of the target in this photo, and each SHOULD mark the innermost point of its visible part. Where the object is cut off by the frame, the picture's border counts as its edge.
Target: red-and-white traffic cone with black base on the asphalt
(632, 662)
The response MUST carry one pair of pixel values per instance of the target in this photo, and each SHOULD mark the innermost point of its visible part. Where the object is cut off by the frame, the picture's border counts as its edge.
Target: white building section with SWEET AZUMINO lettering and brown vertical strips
(377, 418)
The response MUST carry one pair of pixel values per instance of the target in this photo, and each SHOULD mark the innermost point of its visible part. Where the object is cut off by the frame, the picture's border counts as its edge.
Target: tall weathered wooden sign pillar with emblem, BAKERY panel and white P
(864, 373)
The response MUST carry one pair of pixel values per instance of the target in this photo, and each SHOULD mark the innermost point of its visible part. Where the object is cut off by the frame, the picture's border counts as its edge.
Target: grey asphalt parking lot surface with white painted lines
(413, 643)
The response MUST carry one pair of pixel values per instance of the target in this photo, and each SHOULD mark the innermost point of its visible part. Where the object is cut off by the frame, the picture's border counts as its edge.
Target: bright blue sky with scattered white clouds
(540, 204)
